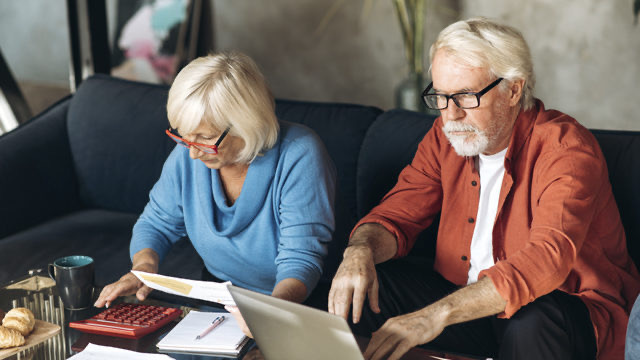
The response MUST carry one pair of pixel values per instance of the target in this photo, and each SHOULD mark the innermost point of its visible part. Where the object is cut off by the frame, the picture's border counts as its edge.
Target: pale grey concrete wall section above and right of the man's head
(586, 55)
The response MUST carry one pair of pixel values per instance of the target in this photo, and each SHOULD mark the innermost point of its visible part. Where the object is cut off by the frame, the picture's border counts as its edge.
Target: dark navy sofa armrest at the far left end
(38, 180)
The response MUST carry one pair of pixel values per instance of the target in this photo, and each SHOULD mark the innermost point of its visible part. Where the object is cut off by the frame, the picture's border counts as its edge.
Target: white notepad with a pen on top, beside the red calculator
(224, 340)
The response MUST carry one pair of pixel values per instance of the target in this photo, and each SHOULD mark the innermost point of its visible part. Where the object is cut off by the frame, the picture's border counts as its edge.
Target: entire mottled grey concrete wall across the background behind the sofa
(586, 52)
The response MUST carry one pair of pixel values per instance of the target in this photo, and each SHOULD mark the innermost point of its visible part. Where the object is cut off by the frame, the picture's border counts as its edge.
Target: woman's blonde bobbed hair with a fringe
(225, 90)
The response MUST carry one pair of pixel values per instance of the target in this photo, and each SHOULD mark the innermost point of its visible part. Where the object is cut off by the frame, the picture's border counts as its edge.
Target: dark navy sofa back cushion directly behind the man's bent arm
(389, 146)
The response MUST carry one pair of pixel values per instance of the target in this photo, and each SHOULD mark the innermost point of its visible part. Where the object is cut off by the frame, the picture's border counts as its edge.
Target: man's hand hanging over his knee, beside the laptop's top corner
(355, 279)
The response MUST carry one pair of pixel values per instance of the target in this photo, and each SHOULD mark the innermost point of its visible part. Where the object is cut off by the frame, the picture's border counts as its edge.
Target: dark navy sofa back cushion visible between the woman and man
(342, 128)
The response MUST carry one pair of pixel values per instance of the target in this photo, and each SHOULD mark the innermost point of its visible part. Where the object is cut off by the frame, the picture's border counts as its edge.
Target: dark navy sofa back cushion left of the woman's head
(116, 131)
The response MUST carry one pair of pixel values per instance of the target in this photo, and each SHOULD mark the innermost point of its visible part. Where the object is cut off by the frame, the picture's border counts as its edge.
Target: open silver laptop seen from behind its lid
(285, 330)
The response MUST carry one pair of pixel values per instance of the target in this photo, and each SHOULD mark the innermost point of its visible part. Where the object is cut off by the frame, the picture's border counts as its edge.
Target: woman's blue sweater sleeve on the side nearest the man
(306, 210)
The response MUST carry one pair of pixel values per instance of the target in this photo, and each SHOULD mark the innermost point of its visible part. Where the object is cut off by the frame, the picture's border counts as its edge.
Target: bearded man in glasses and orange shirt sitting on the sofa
(531, 259)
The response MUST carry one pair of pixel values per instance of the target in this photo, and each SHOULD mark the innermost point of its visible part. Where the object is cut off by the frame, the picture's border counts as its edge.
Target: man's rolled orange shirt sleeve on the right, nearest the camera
(568, 181)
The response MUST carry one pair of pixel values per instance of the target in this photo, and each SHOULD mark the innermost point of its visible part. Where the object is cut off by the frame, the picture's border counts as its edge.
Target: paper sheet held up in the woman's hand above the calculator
(203, 290)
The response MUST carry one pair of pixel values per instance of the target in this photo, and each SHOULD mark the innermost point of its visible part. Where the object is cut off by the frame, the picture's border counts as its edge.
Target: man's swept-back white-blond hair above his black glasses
(480, 42)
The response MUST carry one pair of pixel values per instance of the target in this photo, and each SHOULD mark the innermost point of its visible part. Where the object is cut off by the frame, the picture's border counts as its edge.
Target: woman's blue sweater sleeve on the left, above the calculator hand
(162, 223)
